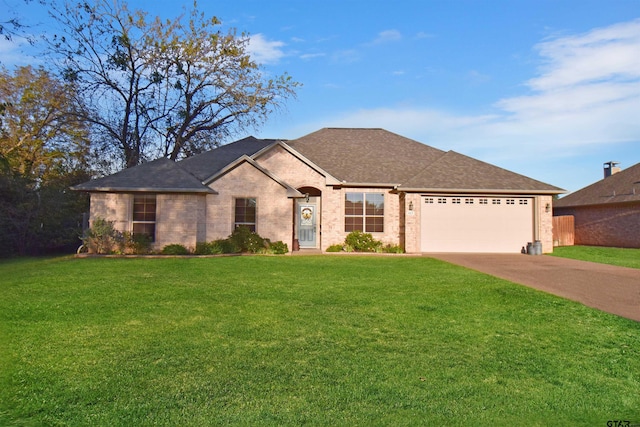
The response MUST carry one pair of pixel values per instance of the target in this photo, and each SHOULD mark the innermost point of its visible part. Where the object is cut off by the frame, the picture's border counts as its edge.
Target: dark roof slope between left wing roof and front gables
(209, 163)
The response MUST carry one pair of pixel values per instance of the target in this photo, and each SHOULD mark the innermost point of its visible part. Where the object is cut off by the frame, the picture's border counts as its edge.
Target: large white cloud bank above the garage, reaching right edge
(587, 94)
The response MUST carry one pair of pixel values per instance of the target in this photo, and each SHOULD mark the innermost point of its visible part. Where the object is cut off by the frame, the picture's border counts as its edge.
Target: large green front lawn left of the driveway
(302, 340)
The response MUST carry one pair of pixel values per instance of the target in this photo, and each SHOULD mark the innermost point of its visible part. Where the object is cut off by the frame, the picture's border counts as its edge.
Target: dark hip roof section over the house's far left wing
(160, 175)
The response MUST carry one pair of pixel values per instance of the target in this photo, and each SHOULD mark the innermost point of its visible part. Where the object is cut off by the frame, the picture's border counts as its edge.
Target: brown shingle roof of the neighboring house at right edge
(621, 187)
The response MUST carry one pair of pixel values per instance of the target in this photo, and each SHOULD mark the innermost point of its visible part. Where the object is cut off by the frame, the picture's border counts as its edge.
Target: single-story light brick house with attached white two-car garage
(312, 191)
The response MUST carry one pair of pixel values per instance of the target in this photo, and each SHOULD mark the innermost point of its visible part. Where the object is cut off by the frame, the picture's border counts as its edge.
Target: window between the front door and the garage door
(364, 212)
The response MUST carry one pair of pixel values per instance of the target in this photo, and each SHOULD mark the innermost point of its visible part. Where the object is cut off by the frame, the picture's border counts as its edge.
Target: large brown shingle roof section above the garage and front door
(377, 156)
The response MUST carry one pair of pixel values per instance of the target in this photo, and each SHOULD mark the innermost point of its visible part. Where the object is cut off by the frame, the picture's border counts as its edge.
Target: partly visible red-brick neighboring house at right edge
(606, 213)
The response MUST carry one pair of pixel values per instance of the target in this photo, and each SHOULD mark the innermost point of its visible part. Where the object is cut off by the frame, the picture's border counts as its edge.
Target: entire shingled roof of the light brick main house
(345, 156)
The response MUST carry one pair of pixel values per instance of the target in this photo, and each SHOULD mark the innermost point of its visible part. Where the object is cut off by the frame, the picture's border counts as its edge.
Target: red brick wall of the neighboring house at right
(614, 226)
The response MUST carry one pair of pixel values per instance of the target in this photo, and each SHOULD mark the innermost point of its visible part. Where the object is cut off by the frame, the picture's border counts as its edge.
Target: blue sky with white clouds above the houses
(548, 89)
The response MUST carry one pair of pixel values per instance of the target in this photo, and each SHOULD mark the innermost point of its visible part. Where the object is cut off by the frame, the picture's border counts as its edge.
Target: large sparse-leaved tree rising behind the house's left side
(156, 87)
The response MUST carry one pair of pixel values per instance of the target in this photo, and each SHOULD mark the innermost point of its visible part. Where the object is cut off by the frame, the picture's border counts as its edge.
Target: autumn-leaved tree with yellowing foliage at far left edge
(42, 152)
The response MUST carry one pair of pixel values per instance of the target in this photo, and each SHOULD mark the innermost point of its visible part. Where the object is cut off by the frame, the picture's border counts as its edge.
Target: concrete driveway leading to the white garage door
(608, 288)
